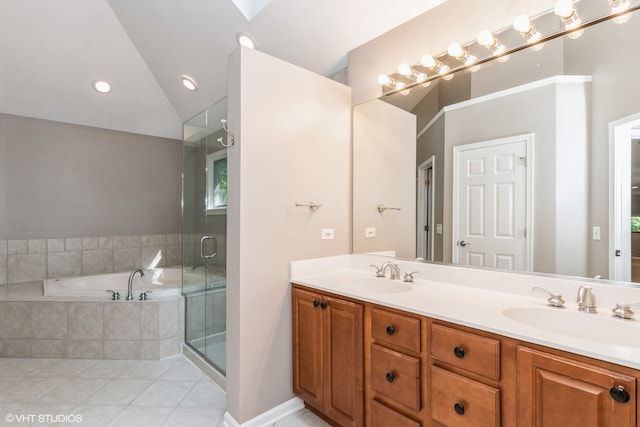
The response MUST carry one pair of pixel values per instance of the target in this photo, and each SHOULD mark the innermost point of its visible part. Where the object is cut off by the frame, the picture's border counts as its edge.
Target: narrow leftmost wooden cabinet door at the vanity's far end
(307, 347)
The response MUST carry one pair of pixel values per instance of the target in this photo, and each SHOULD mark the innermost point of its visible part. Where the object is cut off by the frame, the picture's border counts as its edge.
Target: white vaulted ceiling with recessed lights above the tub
(51, 51)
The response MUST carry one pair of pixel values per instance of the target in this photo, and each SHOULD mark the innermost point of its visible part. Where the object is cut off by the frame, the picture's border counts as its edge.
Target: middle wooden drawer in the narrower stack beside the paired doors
(396, 375)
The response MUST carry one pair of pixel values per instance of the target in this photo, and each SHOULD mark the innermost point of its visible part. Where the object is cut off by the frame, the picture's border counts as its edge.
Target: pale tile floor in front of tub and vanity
(74, 392)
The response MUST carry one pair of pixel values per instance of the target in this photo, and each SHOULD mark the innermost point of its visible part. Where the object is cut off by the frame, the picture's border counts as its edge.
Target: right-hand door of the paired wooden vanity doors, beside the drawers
(343, 362)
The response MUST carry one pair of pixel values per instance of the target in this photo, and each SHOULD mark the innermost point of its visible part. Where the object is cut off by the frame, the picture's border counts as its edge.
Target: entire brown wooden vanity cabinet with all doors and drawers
(359, 363)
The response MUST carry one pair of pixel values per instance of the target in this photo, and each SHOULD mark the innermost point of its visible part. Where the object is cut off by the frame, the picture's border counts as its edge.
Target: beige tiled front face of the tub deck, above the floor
(55, 327)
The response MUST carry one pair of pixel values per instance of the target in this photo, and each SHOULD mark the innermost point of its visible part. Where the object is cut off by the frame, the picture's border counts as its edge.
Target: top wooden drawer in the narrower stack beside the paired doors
(395, 329)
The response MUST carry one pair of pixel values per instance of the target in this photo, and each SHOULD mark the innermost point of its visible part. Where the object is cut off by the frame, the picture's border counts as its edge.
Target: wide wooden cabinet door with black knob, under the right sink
(556, 391)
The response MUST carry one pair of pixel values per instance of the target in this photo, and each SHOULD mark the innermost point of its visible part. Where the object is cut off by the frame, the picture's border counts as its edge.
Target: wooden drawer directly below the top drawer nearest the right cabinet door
(461, 402)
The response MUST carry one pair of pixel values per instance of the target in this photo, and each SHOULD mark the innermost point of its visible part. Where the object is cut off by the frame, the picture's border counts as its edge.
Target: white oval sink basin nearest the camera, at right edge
(580, 325)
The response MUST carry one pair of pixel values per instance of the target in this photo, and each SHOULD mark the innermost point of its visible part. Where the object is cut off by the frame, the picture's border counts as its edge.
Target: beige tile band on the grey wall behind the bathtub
(23, 261)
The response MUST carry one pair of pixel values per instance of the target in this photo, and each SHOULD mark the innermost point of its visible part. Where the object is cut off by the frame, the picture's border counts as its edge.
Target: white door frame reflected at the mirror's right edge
(620, 135)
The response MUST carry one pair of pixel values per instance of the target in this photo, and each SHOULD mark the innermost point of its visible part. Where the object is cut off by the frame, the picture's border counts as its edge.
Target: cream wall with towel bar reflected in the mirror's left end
(384, 144)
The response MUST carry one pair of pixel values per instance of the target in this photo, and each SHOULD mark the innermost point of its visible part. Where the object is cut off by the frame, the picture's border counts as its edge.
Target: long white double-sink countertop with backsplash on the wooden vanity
(478, 299)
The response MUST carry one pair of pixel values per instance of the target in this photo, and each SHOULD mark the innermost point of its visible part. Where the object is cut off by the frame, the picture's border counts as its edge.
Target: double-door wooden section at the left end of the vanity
(328, 355)
